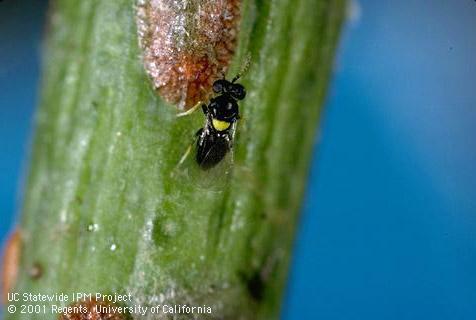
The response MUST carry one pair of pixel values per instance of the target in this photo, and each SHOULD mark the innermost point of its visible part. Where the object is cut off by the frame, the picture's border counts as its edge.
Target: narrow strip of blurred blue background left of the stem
(21, 30)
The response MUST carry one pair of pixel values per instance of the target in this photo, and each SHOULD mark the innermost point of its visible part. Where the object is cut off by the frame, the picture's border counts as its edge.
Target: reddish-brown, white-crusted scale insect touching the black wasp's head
(187, 45)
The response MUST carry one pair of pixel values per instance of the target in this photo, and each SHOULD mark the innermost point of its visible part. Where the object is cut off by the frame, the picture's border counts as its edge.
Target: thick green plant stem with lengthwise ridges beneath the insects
(106, 210)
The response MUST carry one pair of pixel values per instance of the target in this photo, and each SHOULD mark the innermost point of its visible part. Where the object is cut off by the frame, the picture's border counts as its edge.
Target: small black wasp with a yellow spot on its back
(215, 139)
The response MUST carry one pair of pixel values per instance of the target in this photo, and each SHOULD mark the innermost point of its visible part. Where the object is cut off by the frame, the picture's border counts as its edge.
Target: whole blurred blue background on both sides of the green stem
(389, 223)
